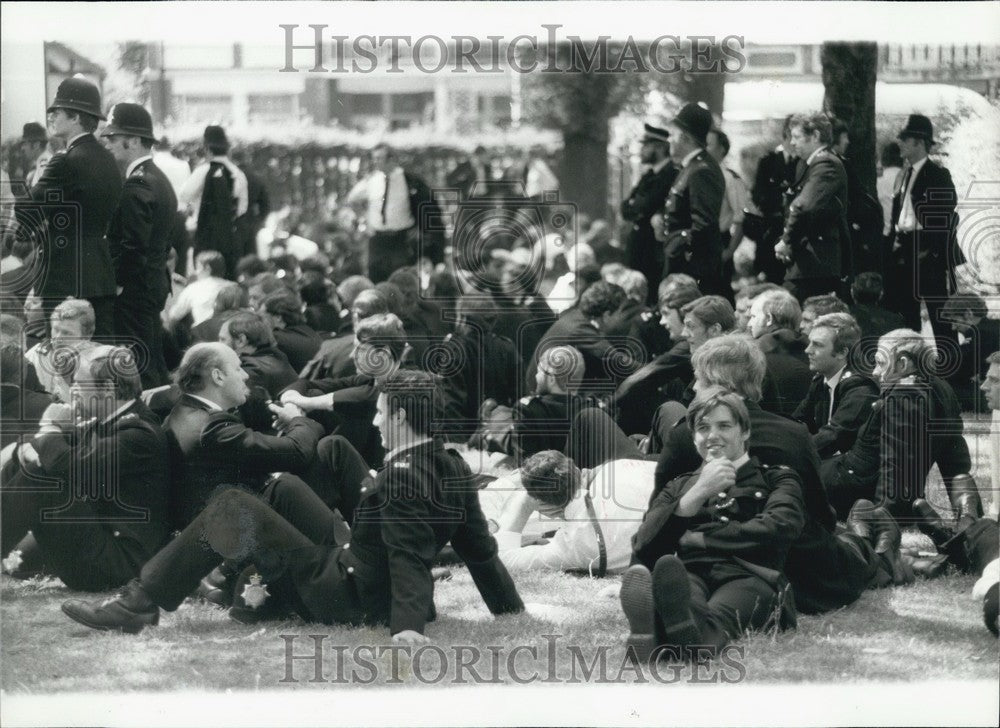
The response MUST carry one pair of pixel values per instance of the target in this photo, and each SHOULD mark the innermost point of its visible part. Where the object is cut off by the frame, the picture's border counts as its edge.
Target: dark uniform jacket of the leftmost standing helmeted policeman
(78, 194)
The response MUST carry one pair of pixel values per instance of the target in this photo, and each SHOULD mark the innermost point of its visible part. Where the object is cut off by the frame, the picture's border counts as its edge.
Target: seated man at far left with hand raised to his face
(108, 454)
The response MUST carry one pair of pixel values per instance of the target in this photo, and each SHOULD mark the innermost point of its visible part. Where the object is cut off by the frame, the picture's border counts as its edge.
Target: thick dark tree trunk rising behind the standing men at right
(849, 71)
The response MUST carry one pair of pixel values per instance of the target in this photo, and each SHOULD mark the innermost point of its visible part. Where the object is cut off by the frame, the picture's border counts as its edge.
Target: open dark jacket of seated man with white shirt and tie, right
(852, 403)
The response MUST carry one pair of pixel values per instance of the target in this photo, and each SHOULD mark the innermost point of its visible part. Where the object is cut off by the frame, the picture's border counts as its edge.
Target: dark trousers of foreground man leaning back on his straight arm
(240, 527)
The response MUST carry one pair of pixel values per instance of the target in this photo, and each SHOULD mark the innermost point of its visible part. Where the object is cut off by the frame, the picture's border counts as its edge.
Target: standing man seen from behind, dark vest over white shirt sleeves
(216, 193)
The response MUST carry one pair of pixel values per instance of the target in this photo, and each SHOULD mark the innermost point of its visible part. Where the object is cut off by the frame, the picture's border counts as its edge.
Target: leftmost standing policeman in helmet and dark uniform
(78, 194)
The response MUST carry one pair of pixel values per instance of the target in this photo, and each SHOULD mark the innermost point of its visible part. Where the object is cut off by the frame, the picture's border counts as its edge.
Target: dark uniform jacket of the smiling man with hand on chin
(754, 521)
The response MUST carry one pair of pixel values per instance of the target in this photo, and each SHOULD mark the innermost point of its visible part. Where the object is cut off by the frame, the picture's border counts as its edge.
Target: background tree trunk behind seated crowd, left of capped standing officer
(583, 174)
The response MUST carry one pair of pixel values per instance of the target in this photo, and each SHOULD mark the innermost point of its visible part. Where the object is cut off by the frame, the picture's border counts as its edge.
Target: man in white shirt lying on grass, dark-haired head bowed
(597, 512)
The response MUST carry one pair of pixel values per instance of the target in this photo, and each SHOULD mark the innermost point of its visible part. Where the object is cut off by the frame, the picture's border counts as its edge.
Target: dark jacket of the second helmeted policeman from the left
(140, 235)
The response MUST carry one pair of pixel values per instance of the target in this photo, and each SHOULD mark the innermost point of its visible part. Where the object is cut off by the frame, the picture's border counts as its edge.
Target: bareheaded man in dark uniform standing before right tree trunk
(815, 244)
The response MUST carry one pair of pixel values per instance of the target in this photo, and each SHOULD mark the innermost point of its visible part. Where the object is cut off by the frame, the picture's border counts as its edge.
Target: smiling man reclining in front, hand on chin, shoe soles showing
(713, 544)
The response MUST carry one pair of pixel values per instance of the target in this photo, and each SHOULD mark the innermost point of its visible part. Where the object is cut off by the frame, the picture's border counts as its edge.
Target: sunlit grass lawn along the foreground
(929, 631)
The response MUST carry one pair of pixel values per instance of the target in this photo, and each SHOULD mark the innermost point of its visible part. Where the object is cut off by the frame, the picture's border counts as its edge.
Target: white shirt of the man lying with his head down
(620, 491)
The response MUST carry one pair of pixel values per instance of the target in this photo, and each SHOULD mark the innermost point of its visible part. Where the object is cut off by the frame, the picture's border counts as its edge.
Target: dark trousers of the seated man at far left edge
(79, 549)
